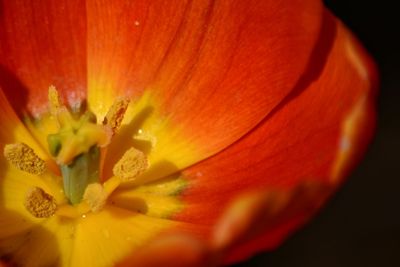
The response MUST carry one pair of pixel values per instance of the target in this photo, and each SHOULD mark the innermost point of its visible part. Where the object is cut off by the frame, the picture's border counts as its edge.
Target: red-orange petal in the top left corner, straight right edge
(42, 44)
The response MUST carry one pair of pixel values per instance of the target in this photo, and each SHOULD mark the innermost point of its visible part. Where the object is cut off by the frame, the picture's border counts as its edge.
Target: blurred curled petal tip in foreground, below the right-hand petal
(253, 213)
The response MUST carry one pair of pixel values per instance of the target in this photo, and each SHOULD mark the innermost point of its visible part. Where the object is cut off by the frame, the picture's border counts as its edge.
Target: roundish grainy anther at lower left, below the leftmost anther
(39, 203)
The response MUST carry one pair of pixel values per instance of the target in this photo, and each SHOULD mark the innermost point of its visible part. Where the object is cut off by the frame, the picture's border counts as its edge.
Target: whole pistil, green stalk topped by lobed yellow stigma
(76, 149)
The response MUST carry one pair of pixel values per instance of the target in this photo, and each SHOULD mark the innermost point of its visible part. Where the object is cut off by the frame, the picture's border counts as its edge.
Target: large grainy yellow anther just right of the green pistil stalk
(133, 163)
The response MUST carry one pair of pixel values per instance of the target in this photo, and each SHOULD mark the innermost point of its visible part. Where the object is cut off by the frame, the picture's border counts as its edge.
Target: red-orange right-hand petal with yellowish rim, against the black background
(299, 141)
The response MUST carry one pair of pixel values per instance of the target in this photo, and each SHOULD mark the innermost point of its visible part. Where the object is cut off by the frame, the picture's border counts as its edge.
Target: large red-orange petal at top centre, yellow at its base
(213, 69)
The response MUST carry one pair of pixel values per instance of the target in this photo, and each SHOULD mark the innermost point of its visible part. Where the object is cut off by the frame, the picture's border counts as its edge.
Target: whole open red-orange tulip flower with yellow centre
(172, 133)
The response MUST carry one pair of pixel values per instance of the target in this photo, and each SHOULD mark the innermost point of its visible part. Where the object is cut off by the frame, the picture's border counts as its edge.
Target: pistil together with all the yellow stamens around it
(77, 147)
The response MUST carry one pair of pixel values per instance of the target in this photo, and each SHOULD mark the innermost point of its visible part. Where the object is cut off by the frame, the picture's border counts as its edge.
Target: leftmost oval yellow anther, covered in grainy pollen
(24, 158)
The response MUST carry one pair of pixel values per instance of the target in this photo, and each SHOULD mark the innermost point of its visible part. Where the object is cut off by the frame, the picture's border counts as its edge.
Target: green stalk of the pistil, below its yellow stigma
(83, 171)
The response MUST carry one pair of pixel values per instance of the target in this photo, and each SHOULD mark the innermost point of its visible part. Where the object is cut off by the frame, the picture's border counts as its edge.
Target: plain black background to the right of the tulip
(360, 226)
